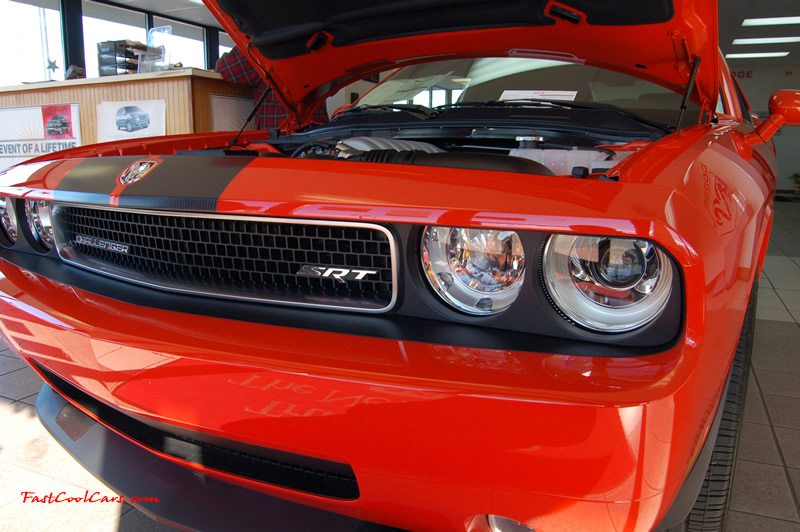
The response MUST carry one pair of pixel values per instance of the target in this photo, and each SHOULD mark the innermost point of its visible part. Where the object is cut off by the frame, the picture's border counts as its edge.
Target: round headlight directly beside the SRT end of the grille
(477, 271)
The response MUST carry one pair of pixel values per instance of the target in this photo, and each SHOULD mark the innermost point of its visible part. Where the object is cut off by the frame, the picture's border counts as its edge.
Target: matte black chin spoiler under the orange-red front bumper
(185, 499)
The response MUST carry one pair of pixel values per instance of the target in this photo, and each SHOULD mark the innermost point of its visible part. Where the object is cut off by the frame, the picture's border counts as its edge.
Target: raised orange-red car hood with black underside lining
(309, 49)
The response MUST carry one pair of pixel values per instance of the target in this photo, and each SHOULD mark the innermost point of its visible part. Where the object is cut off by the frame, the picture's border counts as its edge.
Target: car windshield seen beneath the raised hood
(443, 83)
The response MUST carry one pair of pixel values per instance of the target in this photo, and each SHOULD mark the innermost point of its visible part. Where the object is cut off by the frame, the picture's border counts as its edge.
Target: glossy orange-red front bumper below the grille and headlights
(435, 434)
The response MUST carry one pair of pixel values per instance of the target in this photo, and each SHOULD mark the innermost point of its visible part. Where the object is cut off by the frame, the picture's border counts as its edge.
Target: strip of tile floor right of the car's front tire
(767, 480)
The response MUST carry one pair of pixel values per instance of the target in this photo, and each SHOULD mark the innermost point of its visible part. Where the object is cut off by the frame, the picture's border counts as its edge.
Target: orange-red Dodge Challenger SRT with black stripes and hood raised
(511, 288)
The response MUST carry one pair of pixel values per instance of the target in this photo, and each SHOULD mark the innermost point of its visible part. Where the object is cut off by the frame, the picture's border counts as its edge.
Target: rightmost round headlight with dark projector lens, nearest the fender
(607, 284)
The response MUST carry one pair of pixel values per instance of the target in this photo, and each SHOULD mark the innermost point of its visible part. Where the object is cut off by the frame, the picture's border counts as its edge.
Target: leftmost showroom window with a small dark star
(35, 27)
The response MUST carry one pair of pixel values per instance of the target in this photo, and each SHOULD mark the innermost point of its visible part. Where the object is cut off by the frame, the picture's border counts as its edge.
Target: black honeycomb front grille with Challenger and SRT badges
(239, 257)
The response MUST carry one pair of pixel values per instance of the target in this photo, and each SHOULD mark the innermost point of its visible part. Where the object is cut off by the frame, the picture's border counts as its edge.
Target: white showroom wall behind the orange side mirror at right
(758, 83)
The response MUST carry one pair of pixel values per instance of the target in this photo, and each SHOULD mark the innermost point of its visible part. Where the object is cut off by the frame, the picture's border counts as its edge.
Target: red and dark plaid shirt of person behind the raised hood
(236, 67)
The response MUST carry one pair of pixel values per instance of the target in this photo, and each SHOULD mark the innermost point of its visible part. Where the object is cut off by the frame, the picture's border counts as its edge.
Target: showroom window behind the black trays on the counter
(103, 23)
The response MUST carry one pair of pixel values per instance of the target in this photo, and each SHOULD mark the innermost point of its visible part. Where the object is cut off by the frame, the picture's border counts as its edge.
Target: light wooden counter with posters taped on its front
(186, 92)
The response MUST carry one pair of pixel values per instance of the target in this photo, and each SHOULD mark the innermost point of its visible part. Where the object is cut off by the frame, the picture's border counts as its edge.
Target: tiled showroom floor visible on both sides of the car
(766, 485)
